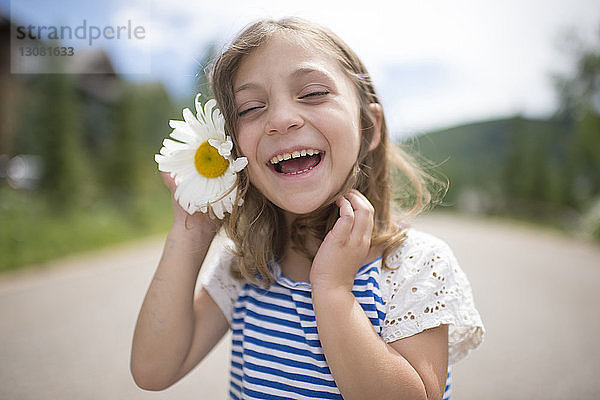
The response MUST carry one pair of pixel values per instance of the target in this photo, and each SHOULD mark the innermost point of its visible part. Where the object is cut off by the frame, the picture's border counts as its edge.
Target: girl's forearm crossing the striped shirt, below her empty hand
(362, 364)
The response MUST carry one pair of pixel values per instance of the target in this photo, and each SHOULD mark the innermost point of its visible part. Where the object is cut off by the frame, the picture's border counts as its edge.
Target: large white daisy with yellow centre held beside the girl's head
(199, 159)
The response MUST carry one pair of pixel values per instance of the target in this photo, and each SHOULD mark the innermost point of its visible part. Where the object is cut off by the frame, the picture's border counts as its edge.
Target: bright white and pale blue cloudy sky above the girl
(435, 63)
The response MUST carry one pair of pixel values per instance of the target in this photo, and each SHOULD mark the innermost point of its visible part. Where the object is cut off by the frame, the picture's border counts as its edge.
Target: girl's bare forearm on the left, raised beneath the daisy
(165, 326)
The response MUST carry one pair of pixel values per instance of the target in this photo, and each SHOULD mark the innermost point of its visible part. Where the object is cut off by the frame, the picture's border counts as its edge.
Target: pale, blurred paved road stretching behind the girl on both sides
(65, 331)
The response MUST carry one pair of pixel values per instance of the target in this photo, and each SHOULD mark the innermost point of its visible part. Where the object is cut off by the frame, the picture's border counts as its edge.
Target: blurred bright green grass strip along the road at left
(31, 233)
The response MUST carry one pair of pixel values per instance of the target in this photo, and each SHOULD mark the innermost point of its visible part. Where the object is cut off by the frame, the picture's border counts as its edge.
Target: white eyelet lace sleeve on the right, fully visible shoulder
(426, 288)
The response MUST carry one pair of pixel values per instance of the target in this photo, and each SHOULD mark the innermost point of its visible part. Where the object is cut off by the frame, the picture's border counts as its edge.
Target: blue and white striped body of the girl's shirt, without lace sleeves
(276, 352)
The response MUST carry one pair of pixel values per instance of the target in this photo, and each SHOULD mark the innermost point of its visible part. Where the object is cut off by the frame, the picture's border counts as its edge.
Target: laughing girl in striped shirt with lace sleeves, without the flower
(326, 295)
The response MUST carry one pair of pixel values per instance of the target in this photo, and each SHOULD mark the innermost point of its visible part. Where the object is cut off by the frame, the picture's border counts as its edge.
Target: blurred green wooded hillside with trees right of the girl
(542, 170)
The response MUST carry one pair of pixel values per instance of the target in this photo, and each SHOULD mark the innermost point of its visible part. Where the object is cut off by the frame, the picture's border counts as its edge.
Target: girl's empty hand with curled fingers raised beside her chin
(347, 244)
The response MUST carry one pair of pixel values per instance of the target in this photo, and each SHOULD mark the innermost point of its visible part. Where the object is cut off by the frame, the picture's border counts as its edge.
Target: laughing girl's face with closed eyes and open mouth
(298, 123)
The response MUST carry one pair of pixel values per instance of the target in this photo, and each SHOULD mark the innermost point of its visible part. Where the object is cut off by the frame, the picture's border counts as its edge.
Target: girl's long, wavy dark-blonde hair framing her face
(257, 228)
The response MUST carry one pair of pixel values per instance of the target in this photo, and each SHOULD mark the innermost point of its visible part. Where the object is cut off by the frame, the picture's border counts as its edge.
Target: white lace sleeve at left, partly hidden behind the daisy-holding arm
(216, 278)
